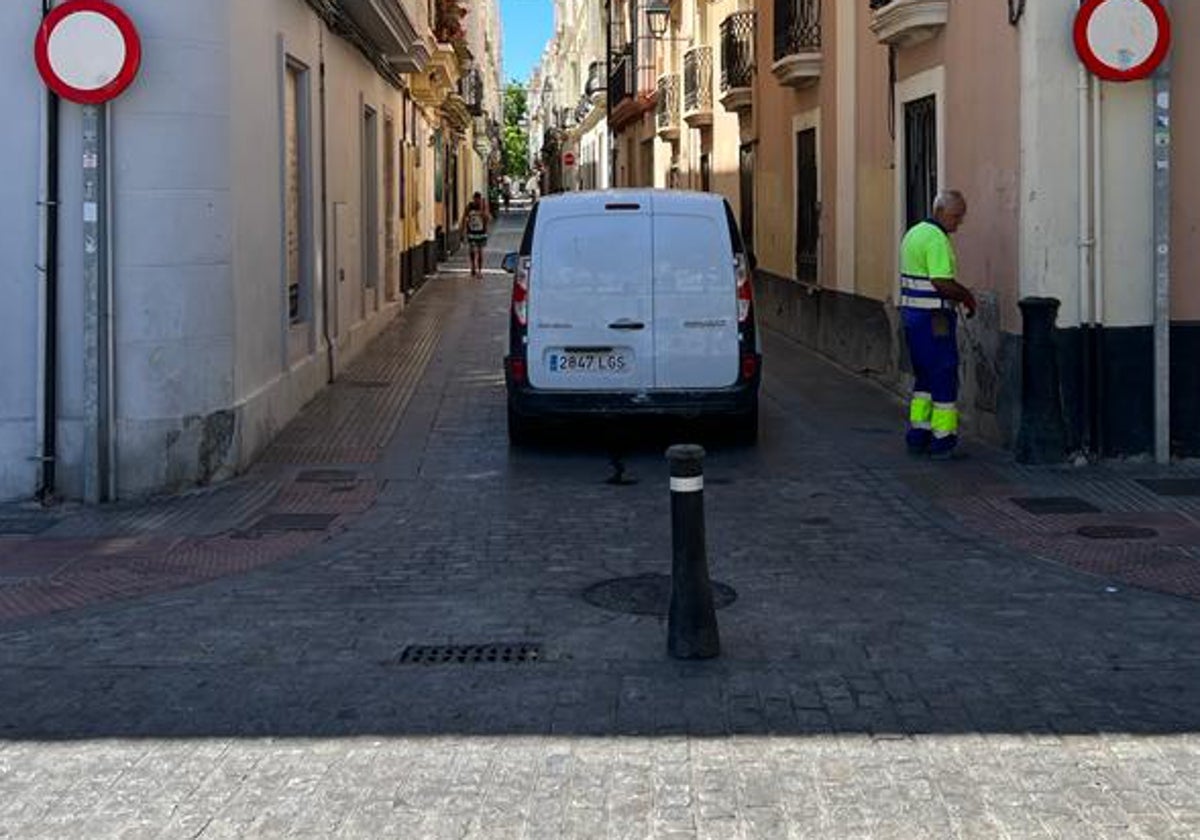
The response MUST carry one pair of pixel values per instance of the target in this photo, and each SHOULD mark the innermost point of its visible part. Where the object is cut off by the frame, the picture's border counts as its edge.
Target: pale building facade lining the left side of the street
(273, 208)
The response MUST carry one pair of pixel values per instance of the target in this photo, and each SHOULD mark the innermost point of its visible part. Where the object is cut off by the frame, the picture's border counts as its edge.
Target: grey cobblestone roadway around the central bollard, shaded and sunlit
(911, 655)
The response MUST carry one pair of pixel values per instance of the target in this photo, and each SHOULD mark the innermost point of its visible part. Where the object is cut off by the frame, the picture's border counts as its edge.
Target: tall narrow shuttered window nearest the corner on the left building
(297, 232)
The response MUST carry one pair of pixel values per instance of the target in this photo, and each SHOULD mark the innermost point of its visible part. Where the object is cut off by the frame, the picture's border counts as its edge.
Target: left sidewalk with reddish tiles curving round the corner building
(57, 561)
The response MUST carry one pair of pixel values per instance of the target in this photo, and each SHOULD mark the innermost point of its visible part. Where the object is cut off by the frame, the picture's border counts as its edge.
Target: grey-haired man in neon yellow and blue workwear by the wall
(929, 299)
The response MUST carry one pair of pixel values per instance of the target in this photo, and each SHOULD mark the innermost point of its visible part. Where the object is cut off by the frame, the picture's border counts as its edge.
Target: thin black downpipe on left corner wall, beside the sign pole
(49, 326)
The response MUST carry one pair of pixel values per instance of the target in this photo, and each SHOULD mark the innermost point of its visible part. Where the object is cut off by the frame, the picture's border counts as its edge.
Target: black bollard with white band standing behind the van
(692, 622)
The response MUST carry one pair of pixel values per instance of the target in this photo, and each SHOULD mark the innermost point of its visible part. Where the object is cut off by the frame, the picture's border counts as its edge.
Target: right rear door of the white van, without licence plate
(695, 295)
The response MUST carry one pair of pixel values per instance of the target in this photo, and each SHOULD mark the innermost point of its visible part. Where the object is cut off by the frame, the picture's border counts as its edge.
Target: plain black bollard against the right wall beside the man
(1043, 434)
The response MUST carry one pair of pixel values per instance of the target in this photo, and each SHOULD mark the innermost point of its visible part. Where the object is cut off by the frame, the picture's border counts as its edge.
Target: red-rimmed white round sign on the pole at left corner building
(88, 51)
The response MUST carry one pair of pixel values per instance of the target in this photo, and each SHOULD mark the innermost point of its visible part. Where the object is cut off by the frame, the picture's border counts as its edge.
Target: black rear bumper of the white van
(533, 403)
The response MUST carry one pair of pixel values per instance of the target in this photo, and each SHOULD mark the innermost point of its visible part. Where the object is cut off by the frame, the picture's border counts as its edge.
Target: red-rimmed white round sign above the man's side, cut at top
(1123, 40)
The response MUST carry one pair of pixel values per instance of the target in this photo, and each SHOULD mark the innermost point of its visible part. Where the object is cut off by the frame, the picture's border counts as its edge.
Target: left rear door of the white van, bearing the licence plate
(591, 309)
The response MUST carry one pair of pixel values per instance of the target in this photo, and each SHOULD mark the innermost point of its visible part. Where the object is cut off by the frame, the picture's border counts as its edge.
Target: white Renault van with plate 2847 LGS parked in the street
(634, 302)
